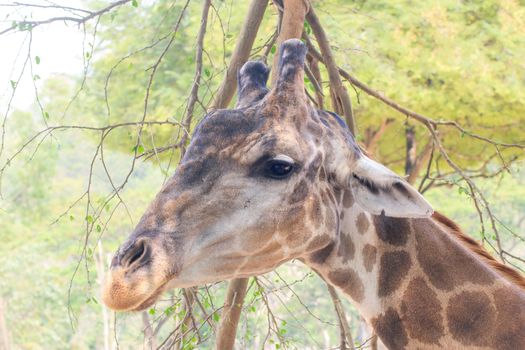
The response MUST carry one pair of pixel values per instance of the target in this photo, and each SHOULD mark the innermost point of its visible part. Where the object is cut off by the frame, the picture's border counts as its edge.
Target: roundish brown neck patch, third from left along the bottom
(470, 317)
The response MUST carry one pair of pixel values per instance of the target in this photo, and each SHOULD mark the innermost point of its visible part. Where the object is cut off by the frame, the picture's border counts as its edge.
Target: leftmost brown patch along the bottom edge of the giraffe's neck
(390, 330)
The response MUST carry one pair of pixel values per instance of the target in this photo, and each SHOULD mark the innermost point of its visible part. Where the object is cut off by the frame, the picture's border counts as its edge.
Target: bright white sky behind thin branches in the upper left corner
(58, 46)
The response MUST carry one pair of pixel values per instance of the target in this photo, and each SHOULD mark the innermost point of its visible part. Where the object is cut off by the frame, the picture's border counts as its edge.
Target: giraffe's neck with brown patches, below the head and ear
(418, 286)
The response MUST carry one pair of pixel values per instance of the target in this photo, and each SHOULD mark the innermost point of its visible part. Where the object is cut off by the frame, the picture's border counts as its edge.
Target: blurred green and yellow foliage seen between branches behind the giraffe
(460, 61)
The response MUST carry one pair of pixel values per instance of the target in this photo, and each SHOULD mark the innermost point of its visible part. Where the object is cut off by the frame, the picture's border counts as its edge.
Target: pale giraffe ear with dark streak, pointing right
(379, 190)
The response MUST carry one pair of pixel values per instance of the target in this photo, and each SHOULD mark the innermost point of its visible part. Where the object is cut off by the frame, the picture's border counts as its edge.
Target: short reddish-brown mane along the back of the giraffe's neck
(507, 272)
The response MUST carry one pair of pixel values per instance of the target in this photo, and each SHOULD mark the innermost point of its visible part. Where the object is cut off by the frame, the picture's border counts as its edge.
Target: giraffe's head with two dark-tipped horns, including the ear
(256, 187)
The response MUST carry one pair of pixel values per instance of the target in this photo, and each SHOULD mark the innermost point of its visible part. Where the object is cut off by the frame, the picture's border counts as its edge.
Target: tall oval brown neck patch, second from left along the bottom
(421, 312)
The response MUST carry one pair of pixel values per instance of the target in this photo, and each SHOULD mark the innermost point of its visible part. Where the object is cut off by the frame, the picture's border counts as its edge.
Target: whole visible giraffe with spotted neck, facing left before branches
(274, 180)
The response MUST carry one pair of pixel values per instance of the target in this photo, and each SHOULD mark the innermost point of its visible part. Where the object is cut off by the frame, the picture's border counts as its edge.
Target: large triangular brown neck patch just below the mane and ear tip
(445, 261)
